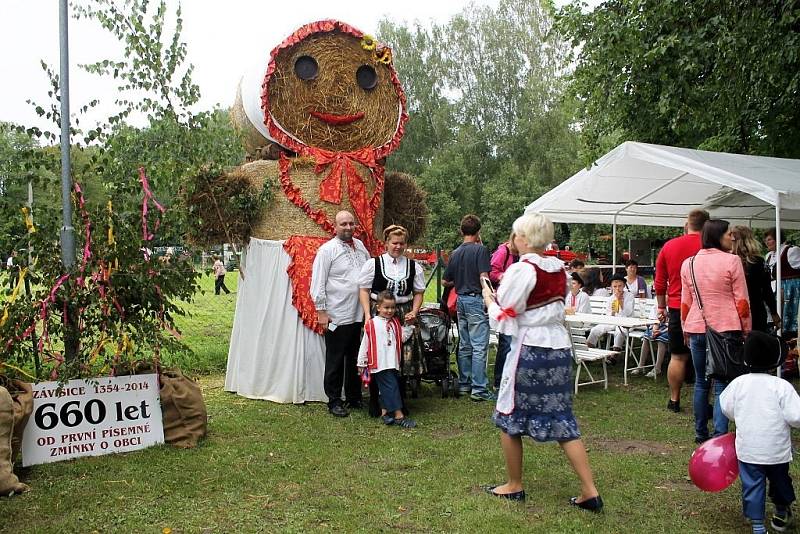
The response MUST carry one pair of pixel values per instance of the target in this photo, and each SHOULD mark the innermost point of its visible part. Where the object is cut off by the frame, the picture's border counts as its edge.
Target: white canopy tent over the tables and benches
(656, 185)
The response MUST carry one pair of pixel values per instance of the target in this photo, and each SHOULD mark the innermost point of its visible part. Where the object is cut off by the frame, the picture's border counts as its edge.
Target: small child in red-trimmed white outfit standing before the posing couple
(380, 350)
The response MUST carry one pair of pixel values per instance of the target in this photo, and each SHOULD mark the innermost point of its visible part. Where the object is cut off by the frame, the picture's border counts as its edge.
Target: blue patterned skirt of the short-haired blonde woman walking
(542, 397)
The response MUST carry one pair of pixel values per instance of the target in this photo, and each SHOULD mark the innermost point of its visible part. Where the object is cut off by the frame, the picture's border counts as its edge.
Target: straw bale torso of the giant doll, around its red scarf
(283, 218)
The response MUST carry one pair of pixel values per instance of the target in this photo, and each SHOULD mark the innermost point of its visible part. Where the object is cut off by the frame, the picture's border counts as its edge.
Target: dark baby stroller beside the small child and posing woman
(434, 345)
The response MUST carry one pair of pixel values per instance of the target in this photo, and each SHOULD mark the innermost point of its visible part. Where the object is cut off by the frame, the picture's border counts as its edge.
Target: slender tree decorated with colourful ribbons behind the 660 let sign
(117, 304)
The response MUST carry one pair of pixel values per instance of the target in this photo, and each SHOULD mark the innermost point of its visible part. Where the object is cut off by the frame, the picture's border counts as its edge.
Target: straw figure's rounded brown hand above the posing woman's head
(404, 203)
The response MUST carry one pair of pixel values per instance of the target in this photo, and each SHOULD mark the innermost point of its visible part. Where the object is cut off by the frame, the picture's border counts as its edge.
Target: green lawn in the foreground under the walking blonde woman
(268, 467)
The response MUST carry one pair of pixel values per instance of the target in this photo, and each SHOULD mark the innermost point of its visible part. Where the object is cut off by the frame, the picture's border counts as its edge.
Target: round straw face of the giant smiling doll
(334, 90)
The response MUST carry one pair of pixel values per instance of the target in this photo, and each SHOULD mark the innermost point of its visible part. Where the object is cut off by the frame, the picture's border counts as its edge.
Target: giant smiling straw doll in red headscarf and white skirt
(318, 122)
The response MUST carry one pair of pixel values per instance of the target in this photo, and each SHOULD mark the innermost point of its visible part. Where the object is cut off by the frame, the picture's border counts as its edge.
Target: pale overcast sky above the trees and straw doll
(223, 38)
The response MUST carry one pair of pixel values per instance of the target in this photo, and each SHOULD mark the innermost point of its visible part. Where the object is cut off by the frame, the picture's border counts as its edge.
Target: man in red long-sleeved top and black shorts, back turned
(668, 295)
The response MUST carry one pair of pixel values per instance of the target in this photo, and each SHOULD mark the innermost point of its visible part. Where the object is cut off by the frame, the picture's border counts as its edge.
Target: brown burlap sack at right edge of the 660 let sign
(183, 409)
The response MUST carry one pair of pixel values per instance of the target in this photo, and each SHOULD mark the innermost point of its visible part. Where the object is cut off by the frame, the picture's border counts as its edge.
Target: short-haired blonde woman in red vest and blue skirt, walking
(535, 397)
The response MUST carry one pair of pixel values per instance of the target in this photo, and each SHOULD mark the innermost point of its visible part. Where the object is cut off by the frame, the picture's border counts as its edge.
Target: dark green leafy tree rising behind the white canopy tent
(711, 74)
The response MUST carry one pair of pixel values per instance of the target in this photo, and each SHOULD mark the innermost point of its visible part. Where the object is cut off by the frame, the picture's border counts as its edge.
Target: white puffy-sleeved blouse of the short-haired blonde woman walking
(544, 326)
